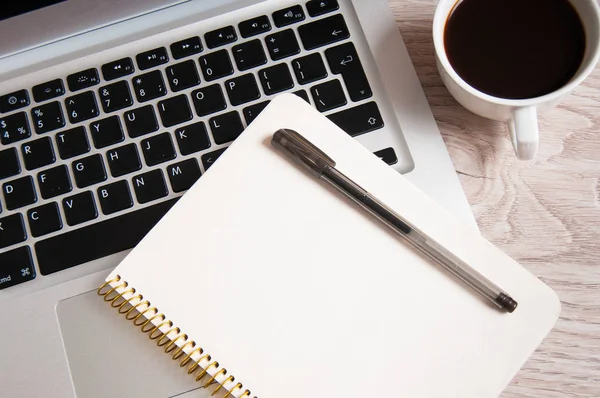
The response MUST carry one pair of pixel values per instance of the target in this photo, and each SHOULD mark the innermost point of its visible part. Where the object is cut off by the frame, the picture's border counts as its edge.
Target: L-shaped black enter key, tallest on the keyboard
(343, 59)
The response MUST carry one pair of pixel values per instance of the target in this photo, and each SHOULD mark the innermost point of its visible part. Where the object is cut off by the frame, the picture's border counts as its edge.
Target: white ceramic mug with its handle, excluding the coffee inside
(521, 114)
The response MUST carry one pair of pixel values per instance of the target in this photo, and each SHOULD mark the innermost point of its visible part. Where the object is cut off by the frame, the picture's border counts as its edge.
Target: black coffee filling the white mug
(515, 49)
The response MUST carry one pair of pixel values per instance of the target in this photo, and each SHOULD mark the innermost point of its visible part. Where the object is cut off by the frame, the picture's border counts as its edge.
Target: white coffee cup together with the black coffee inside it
(520, 107)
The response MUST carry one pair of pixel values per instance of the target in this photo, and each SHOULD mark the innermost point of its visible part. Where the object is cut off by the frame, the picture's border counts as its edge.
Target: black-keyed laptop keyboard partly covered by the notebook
(81, 181)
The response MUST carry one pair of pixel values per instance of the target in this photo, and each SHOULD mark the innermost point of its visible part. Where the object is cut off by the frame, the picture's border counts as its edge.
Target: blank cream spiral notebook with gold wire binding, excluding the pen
(262, 281)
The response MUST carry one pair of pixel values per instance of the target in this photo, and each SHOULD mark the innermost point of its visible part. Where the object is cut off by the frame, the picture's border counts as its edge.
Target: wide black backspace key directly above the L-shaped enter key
(324, 31)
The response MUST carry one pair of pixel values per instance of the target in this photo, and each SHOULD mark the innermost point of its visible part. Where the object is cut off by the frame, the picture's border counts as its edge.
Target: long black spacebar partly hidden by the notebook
(98, 240)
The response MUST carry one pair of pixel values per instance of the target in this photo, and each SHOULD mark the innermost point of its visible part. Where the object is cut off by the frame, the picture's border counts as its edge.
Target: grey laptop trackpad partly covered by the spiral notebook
(108, 356)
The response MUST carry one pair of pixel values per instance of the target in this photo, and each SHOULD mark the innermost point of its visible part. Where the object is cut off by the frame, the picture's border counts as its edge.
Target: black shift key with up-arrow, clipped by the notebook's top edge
(358, 120)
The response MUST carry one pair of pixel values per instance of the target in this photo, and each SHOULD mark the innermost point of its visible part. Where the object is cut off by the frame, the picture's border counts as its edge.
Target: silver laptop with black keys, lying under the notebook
(111, 109)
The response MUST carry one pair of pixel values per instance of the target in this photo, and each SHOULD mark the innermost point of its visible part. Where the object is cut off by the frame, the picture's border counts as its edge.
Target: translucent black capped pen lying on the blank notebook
(322, 166)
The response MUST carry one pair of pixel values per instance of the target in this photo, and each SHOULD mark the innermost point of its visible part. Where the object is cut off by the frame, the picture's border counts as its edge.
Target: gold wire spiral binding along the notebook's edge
(151, 321)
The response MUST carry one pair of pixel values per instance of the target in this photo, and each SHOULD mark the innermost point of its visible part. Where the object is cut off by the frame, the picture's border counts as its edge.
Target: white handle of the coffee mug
(524, 133)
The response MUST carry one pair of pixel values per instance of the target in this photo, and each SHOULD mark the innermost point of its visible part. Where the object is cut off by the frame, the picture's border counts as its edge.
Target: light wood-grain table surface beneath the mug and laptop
(545, 213)
